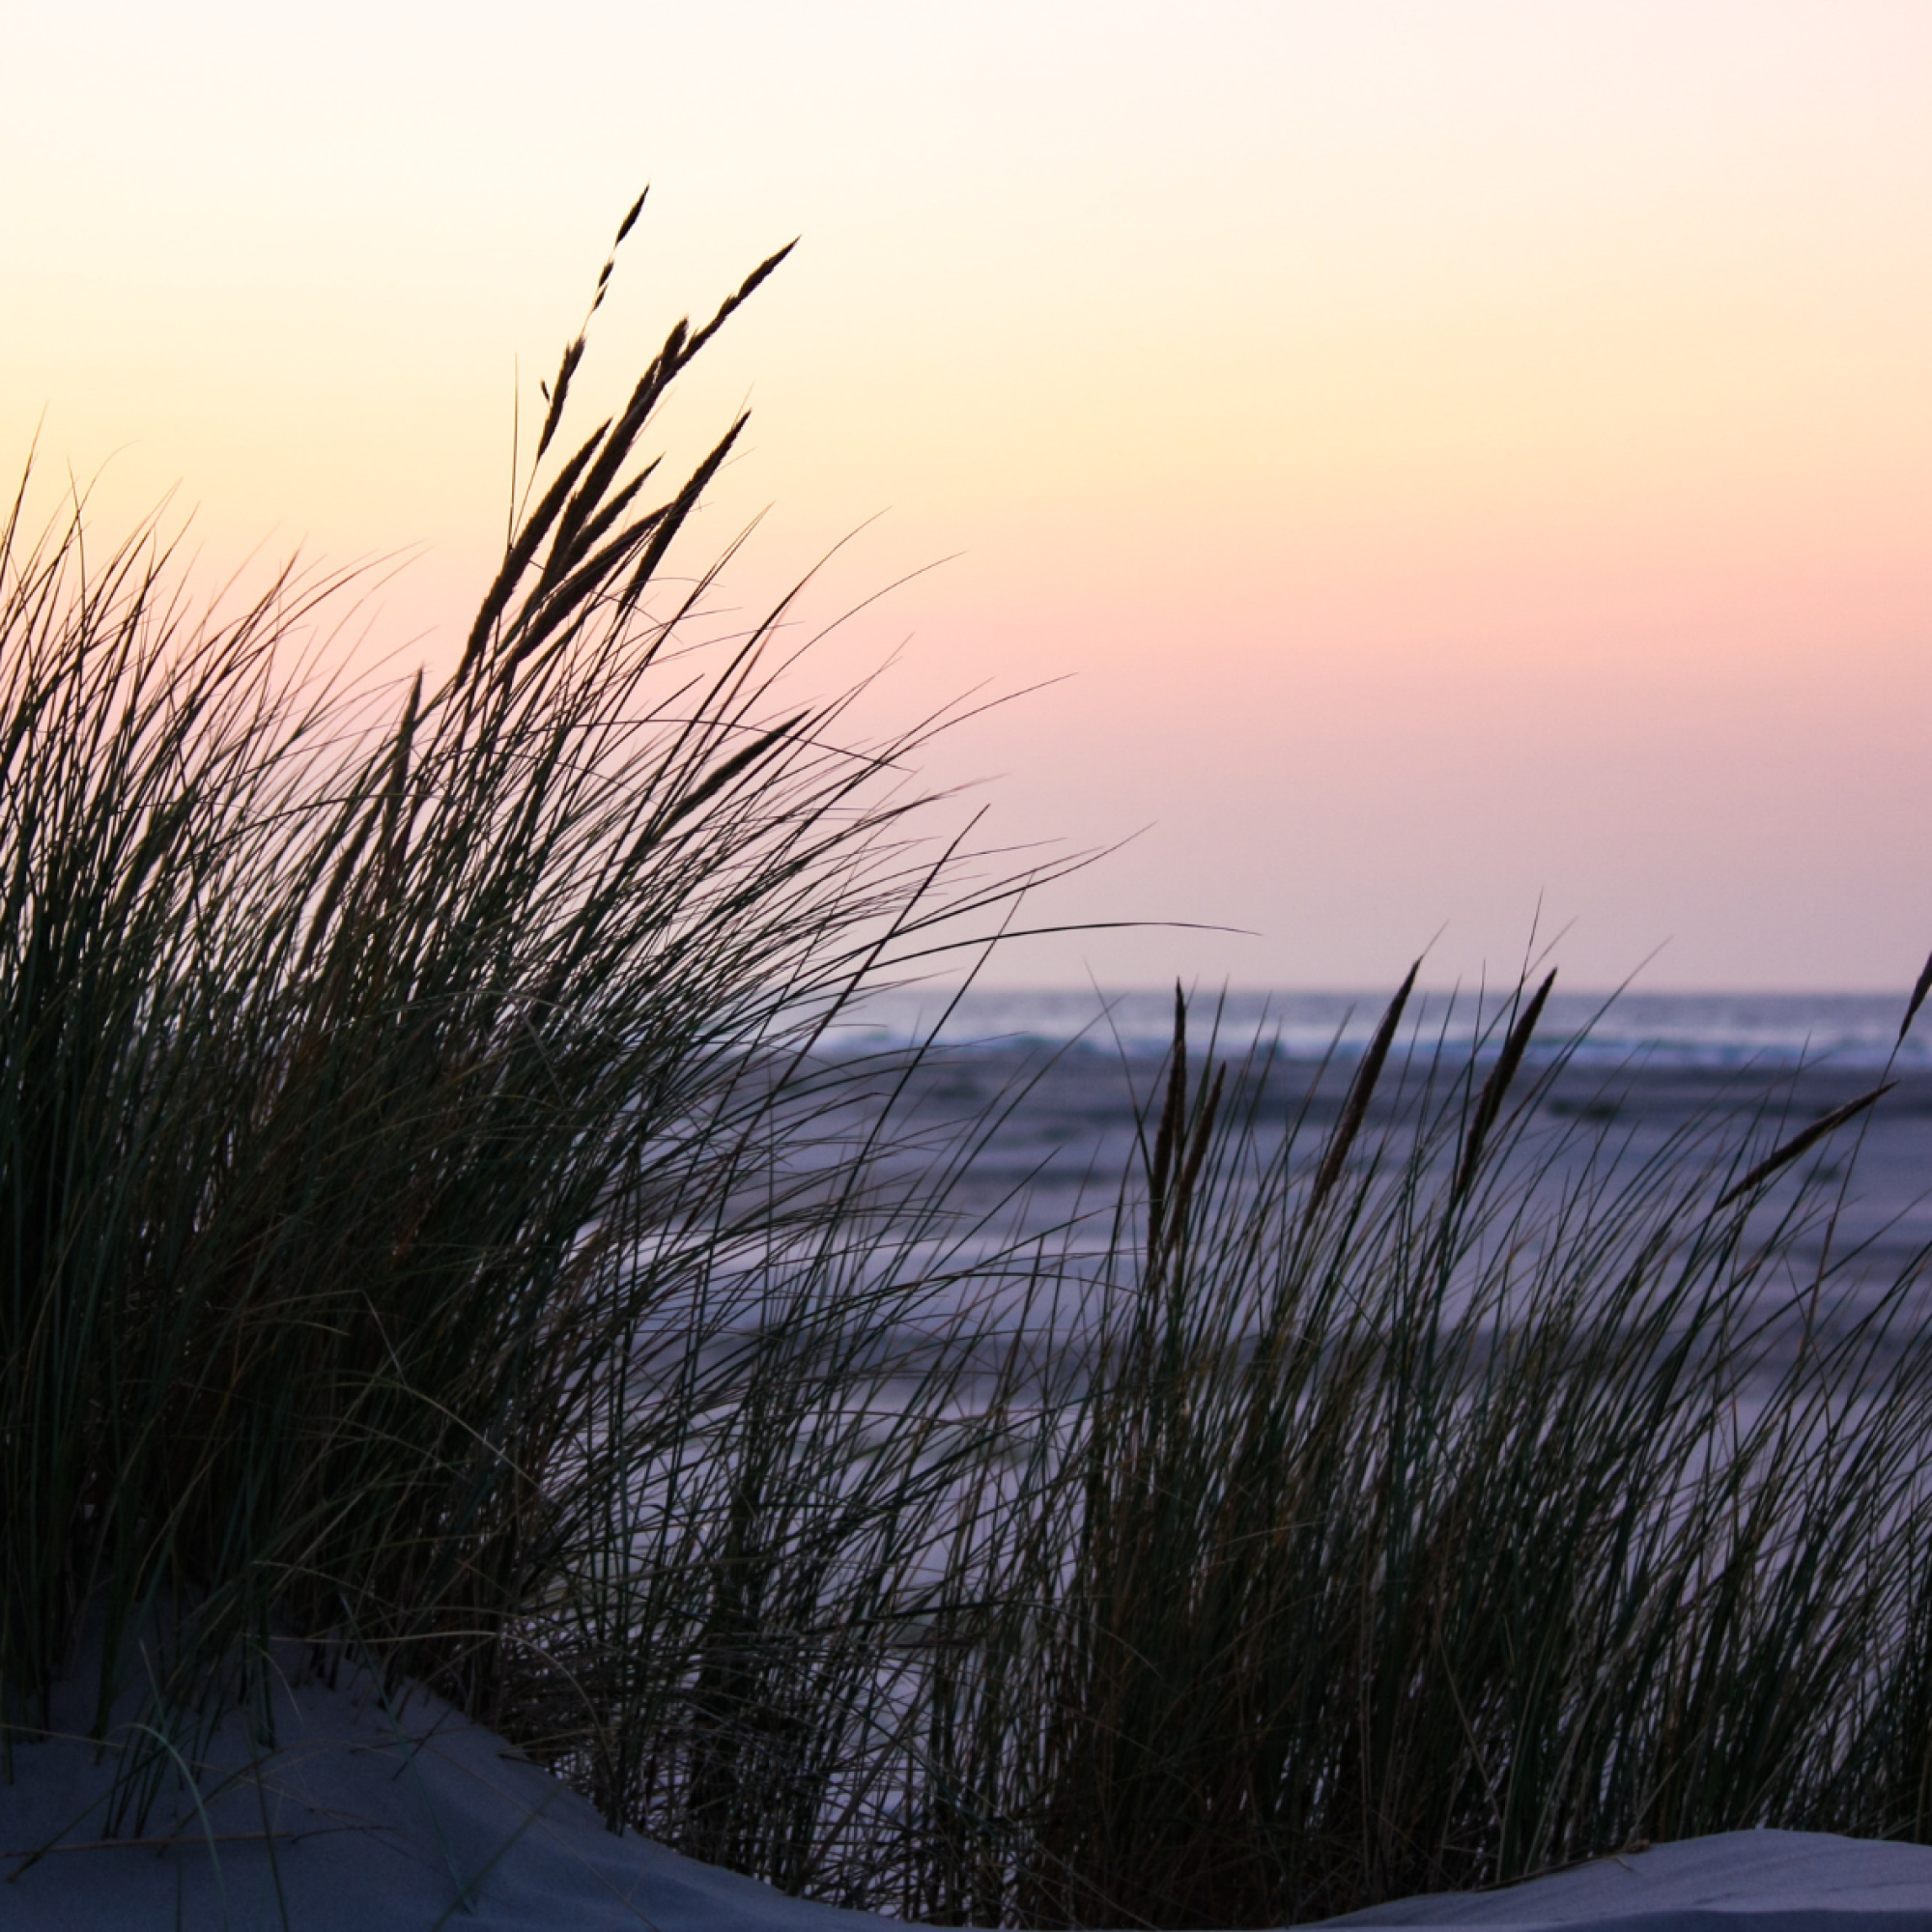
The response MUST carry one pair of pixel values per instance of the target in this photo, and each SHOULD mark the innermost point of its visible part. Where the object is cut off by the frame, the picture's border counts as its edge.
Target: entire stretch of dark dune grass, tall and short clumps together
(438, 1230)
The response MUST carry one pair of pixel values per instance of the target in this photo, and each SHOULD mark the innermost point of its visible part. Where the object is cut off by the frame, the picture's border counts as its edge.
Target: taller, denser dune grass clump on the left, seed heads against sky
(387, 1085)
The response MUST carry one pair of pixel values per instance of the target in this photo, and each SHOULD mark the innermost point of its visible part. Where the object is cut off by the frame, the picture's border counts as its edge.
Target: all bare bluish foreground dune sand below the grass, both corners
(403, 1823)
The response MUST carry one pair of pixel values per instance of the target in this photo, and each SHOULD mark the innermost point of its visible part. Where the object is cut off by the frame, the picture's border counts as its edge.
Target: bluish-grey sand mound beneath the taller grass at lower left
(360, 1823)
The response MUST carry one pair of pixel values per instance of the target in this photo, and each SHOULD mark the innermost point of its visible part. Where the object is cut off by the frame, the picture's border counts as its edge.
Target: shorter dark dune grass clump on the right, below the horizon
(1431, 1502)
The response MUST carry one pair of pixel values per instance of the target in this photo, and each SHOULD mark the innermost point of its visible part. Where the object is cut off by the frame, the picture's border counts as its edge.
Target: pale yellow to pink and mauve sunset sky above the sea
(1456, 457)
